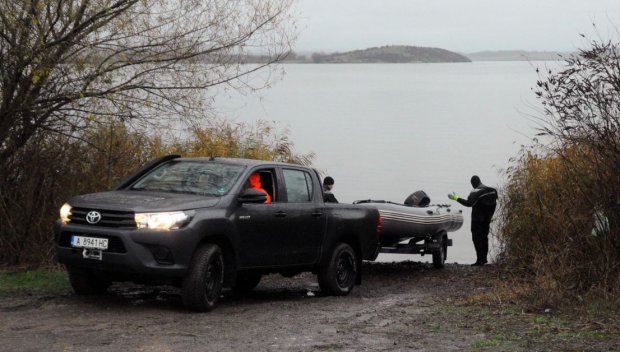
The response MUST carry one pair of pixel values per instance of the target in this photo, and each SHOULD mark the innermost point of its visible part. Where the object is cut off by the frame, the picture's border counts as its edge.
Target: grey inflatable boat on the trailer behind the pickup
(415, 219)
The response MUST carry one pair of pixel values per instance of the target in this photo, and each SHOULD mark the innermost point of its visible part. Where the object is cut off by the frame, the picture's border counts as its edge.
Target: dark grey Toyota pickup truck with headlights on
(197, 223)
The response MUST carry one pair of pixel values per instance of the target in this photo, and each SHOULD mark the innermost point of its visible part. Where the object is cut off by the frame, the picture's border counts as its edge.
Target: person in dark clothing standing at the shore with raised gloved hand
(482, 200)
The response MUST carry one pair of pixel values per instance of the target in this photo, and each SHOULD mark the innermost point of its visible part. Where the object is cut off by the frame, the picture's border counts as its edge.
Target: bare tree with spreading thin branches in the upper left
(65, 64)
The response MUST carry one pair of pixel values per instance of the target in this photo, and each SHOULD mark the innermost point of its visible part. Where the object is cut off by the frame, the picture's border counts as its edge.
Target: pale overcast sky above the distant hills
(459, 25)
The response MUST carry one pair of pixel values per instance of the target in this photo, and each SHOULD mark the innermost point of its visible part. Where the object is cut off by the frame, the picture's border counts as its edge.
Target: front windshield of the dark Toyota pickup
(204, 178)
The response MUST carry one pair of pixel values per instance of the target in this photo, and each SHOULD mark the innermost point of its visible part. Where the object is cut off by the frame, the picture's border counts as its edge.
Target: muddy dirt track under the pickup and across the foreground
(399, 307)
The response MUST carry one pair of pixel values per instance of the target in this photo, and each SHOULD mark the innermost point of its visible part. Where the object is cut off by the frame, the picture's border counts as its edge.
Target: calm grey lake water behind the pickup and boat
(384, 131)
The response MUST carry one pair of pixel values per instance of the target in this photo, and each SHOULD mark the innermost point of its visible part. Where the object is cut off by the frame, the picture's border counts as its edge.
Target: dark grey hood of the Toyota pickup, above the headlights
(142, 201)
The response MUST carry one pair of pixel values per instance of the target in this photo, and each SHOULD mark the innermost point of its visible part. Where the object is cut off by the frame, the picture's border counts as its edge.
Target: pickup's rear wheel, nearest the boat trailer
(338, 277)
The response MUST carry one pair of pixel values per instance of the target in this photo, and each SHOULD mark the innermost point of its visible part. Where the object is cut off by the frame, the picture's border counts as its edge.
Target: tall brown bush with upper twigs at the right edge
(559, 218)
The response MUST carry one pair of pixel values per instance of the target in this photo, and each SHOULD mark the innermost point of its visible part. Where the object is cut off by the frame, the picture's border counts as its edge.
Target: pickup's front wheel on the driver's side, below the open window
(202, 286)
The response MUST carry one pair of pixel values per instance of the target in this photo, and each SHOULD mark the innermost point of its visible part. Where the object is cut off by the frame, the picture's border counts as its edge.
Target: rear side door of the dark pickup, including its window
(306, 219)
